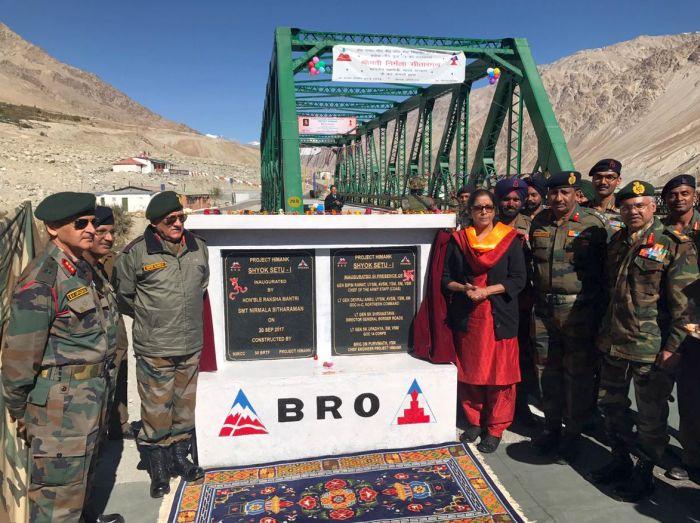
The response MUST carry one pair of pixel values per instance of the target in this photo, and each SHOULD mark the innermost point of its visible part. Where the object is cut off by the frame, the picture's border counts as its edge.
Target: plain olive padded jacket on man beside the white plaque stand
(164, 293)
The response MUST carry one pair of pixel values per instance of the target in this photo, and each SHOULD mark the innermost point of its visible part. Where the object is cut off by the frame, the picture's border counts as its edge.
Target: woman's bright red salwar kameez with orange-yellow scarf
(488, 369)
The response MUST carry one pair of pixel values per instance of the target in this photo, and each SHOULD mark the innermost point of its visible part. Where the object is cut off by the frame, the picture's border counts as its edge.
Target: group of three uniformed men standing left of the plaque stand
(64, 351)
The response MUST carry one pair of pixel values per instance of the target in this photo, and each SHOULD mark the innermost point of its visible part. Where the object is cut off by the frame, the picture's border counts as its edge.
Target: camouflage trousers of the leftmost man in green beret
(63, 419)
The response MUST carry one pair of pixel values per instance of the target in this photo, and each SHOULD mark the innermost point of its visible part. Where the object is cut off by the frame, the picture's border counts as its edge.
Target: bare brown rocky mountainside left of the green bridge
(62, 128)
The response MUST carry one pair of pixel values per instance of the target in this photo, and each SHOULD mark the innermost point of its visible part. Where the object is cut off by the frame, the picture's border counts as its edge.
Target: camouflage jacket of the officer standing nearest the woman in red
(568, 258)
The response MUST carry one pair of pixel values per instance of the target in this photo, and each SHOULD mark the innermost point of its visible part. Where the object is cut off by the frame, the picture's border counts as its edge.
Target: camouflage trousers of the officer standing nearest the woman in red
(565, 364)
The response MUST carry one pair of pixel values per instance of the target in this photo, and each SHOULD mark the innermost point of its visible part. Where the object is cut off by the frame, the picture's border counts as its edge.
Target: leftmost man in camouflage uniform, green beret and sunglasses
(60, 341)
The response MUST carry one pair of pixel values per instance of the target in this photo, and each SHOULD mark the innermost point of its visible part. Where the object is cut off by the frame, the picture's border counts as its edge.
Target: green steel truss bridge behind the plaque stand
(373, 166)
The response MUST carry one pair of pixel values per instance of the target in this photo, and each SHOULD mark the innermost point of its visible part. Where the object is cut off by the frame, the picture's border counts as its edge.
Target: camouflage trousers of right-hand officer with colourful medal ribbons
(652, 389)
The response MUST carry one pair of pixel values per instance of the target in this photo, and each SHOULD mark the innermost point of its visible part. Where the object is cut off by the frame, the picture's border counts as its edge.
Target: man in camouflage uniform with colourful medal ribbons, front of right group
(649, 266)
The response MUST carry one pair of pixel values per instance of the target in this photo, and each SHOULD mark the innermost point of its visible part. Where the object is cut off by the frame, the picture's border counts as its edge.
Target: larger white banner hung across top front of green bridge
(387, 64)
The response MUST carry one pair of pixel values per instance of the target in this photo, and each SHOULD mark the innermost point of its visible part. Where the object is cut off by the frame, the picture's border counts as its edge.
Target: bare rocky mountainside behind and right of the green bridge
(638, 101)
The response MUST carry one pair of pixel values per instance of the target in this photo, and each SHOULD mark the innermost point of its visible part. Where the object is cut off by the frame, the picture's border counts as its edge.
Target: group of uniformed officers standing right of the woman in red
(613, 298)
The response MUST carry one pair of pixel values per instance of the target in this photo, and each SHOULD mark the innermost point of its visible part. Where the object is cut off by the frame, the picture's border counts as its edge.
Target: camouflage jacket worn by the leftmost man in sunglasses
(57, 317)
